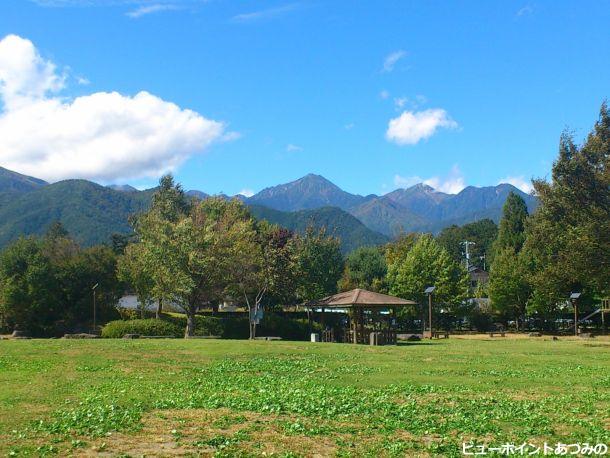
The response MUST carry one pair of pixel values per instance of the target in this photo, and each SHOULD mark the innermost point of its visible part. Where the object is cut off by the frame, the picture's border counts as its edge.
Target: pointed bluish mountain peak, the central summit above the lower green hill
(311, 191)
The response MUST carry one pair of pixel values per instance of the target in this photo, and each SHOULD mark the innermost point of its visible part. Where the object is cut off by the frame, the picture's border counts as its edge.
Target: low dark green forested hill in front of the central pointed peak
(348, 229)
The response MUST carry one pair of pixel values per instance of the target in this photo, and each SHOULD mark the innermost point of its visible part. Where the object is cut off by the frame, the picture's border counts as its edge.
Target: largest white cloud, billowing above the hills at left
(103, 136)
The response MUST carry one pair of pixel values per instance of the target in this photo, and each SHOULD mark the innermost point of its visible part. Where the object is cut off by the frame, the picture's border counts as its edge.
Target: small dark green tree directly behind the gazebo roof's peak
(365, 268)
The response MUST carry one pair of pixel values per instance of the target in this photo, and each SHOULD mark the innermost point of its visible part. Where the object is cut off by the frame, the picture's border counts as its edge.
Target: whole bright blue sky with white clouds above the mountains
(234, 96)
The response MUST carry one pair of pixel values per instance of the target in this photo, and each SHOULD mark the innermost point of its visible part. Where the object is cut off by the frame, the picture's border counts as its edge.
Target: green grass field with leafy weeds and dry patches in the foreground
(240, 398)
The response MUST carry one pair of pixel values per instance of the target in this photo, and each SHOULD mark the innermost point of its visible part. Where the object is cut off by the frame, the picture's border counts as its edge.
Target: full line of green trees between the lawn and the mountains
(199, 253)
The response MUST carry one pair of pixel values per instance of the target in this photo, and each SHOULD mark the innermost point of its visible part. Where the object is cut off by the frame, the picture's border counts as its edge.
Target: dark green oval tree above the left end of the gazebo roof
(319, 264)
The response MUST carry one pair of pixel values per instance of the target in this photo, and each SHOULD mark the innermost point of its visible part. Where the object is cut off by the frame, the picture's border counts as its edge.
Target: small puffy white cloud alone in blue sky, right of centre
(412, 126)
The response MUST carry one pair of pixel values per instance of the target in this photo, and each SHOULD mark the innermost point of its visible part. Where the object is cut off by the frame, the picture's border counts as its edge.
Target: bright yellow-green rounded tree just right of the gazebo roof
(428, 264)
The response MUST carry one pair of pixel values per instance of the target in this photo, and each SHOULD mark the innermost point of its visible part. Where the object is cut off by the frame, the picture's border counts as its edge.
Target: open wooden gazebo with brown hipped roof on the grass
(367, 321)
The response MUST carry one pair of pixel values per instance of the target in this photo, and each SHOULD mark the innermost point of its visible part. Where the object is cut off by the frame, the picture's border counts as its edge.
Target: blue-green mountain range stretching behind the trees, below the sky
(92, 213)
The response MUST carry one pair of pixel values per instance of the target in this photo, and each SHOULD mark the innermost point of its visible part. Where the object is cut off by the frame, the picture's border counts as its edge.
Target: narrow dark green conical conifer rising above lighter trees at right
(511, 231)
